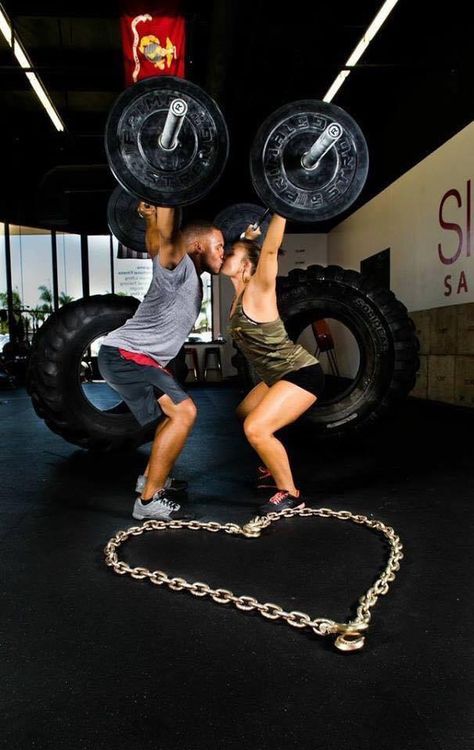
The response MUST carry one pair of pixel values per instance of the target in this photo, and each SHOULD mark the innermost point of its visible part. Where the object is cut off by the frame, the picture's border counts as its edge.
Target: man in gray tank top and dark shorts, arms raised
(133, 358)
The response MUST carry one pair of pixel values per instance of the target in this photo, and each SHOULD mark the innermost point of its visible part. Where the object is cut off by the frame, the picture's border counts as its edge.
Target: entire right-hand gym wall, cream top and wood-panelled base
(425, 218)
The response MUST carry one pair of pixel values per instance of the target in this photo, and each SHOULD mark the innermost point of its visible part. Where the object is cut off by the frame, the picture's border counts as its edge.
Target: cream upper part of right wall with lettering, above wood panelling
(408, 218)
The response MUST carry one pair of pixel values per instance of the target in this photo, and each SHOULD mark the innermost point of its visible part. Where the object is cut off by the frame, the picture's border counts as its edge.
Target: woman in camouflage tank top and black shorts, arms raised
(292, 379)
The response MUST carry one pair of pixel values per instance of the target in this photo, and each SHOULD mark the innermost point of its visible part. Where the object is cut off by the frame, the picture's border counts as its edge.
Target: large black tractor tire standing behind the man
(57, 371)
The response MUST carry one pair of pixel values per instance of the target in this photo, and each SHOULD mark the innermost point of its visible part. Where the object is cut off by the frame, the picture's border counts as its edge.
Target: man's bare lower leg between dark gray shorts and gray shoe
(168, 442)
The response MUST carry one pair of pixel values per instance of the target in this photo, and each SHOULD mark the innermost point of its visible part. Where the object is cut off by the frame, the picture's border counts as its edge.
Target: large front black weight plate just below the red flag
(141, 166)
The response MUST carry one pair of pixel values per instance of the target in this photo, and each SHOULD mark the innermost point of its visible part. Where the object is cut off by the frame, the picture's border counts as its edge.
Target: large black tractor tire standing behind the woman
(382, 329)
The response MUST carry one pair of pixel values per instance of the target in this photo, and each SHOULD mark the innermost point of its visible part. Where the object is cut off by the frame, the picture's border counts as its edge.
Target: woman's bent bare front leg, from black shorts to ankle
(282, 405)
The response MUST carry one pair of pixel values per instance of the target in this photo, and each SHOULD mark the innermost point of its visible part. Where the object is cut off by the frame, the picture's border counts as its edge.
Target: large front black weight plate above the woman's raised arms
(281, 181)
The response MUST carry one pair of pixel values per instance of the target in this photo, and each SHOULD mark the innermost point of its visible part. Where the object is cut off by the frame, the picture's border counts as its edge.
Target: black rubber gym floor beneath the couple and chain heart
(92, 660)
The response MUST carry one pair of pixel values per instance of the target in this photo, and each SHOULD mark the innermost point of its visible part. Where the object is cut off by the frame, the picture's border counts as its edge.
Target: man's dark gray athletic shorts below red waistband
(139, 385)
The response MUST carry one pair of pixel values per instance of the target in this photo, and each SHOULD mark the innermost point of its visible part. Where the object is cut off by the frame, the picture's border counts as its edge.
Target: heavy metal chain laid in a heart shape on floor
(349, 634)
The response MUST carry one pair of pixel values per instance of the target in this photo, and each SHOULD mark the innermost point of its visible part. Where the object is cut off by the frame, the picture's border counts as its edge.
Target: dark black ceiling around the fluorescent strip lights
(411, 92)
